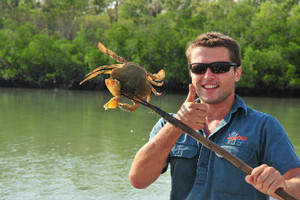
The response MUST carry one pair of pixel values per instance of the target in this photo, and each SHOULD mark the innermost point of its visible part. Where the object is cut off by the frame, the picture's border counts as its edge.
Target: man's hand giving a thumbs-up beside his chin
(190, 113)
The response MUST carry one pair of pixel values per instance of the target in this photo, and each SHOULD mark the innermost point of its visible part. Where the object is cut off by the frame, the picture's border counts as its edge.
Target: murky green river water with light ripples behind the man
(61, 144)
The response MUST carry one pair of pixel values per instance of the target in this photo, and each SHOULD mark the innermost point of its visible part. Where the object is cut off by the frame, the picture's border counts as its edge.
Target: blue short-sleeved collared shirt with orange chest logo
(253, 136)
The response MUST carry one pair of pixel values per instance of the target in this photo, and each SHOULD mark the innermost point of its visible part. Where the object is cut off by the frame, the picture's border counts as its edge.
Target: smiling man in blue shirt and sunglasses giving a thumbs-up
(222, 116)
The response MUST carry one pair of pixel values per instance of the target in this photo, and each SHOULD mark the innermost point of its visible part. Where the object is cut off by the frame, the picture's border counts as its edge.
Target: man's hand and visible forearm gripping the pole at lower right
(267, 179)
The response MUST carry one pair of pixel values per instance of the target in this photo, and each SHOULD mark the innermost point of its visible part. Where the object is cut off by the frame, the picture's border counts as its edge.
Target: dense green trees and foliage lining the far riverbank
(57, 40)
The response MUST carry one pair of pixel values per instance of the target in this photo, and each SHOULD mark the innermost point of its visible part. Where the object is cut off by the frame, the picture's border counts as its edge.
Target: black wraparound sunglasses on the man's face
(215, 67)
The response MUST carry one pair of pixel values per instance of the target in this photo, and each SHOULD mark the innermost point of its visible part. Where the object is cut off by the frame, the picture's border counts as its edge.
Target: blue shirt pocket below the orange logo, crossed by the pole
(225, 171)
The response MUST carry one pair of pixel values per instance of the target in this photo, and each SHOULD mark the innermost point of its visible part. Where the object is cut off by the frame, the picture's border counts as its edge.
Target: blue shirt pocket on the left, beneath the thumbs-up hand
(185, 147)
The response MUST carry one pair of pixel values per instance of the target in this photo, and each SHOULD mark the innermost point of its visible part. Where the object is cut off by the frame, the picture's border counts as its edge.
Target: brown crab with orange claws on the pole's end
(126, 78)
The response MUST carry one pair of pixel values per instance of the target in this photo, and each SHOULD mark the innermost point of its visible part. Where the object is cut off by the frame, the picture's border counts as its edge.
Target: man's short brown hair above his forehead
(215, 39)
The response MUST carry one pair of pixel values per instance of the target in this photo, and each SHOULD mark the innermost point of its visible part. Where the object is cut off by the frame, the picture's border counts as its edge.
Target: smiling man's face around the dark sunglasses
(214, 88)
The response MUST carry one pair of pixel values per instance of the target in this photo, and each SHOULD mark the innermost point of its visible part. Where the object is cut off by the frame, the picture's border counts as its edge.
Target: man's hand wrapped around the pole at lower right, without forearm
(266, 179)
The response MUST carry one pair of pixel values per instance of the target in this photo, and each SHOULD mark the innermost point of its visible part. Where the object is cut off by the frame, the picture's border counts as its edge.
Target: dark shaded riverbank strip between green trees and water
(171, 87)
